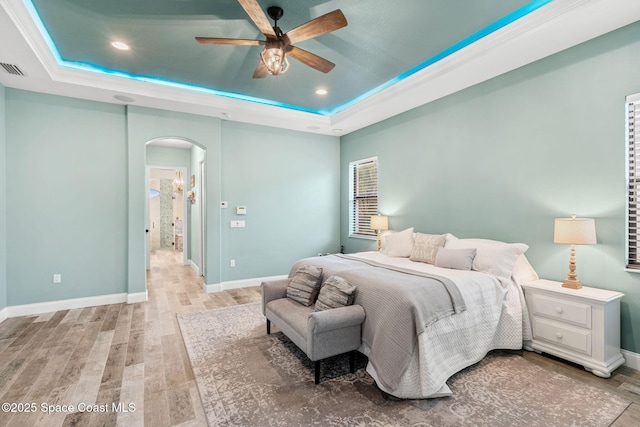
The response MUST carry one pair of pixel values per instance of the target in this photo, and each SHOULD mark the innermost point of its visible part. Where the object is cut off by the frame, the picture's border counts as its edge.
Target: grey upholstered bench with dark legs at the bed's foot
(320, 334)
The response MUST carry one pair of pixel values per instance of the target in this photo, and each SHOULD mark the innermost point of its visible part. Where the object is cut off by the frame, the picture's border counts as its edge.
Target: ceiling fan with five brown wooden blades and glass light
(278, 45)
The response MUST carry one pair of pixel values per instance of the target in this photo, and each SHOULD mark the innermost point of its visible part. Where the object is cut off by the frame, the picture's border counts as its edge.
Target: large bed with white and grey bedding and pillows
(492, 315)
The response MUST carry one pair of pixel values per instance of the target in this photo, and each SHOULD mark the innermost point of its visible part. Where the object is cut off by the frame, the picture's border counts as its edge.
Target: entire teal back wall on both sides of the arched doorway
(77, 195)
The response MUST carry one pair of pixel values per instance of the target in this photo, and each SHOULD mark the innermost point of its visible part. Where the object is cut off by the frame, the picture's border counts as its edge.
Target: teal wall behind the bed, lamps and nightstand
(502, 159)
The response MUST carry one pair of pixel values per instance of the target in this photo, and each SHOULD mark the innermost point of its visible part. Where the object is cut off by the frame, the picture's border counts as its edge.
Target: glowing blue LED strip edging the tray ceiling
(508, 19)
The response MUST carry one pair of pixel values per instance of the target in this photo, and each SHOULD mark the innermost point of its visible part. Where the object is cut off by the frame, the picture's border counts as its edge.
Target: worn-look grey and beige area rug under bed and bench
(248, 378)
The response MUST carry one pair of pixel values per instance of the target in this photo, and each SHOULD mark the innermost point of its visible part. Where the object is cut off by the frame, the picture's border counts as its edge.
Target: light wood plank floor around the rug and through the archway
(133, 354)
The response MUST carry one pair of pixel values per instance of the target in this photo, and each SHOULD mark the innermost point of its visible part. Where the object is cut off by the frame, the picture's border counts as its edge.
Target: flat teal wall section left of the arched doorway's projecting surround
(66, 198)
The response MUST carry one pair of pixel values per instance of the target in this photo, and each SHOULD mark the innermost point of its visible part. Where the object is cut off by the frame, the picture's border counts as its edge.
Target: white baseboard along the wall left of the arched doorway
(68, 304)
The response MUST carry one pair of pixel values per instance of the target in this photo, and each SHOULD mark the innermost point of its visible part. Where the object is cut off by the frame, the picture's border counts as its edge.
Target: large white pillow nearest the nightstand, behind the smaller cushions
(492, 256)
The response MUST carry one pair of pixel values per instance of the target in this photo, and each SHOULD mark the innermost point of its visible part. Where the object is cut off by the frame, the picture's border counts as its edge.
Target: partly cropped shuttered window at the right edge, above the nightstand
(633, 180)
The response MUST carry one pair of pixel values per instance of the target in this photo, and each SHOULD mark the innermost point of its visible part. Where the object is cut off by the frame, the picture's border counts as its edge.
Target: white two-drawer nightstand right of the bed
(580, 325)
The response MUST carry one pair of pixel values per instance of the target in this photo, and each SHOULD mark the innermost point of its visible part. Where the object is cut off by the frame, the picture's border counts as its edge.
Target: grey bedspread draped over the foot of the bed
(399, 304)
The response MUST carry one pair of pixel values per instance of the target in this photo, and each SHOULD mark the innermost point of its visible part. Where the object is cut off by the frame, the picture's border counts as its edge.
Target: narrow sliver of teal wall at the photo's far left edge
(3, 203)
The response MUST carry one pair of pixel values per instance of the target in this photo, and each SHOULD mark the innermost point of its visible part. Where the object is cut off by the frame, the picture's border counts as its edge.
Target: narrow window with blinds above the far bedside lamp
(363, 196)
